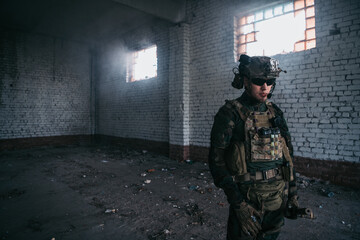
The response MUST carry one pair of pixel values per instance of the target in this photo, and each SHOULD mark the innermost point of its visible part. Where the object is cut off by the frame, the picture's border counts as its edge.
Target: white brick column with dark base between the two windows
(179, 96)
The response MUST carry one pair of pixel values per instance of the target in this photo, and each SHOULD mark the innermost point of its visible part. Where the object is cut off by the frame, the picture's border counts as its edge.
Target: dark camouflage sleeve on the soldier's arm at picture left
(221, 134)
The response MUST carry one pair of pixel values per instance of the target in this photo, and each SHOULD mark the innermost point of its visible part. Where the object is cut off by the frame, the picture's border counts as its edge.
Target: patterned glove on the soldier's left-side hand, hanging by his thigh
(247, 216)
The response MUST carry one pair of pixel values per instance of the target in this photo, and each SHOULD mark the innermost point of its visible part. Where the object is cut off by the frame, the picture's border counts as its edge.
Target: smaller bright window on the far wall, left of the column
(142, 64)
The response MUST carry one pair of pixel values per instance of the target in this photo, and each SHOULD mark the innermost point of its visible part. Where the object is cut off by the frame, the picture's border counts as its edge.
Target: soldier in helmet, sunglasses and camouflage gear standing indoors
(251, 154)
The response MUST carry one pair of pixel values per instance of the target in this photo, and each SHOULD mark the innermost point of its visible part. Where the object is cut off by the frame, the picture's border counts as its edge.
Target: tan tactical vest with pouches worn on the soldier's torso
(263, 142)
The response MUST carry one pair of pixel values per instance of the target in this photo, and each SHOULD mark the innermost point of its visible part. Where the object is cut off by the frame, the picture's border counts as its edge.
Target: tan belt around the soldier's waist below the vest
(271, 174)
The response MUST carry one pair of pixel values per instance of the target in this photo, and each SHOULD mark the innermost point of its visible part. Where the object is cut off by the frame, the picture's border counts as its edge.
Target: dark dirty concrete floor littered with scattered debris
(104, 192)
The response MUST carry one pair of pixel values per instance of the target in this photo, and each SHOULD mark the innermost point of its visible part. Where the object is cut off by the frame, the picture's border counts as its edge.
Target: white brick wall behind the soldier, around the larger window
(319, 94)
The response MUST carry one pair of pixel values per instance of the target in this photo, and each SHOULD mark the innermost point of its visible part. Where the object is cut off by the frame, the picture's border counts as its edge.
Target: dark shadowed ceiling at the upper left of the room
(90, 21)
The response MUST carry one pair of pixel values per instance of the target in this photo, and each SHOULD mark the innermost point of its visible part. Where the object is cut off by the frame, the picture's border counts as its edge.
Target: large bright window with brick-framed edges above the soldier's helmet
(289, 27)
